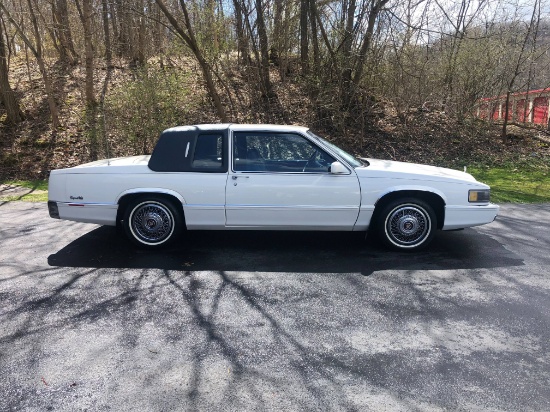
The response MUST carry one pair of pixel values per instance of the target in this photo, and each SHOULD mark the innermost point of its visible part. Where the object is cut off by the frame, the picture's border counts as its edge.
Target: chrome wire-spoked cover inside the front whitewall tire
(408, 225)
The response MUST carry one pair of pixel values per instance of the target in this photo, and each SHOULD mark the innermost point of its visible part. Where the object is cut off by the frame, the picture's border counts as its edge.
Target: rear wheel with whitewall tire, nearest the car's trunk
(152, 222)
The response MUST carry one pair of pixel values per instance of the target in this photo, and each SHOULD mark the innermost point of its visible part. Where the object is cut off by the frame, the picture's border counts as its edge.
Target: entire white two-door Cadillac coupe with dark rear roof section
(265, 177)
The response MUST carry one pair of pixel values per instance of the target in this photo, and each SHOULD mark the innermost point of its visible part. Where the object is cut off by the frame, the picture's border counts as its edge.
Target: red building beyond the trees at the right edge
(525, 107)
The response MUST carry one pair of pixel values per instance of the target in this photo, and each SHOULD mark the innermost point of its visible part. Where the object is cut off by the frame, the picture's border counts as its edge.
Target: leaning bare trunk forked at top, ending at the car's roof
(191, 42)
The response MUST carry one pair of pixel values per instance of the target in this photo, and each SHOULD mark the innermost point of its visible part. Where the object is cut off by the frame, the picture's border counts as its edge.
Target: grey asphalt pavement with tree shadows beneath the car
(273, 321)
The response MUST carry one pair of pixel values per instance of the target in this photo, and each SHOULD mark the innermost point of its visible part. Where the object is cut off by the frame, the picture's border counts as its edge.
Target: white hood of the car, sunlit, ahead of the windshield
(400, 170)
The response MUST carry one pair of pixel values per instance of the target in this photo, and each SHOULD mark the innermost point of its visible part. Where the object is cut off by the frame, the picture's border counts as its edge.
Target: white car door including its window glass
(282, 180)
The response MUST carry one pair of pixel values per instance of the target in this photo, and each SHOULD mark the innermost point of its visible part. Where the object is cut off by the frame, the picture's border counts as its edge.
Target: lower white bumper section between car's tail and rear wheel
(99, 213)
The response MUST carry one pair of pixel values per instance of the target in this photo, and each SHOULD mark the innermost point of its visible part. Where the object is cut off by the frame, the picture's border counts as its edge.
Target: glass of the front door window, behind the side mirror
(278, 152)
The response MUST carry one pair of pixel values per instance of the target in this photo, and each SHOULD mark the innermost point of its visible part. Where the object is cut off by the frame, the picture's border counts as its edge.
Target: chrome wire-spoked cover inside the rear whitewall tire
(152, 222)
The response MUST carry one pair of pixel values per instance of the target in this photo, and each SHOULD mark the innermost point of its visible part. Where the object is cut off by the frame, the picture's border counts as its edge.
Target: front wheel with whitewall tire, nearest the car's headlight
(407, 224)
